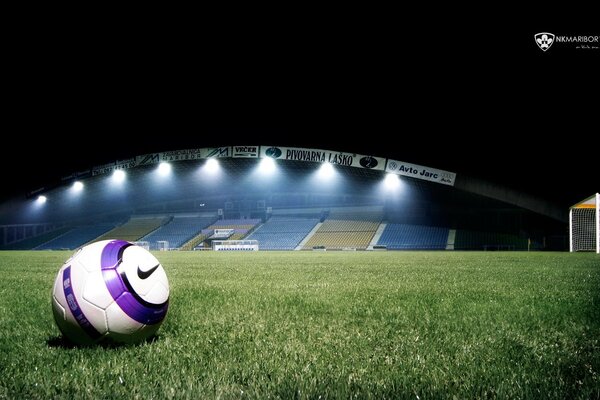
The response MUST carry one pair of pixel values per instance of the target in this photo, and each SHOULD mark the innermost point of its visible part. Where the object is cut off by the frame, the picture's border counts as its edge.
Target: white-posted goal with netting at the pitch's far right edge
(584, 225)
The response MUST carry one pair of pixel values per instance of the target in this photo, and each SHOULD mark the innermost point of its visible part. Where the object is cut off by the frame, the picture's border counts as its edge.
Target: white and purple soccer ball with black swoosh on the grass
(110, 291)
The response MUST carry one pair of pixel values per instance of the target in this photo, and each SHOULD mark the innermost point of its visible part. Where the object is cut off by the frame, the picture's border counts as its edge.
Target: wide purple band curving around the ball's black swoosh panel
(122, 292)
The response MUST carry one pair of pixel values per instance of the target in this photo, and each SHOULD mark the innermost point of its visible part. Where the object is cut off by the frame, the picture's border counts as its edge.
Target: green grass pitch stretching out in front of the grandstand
(324, 325)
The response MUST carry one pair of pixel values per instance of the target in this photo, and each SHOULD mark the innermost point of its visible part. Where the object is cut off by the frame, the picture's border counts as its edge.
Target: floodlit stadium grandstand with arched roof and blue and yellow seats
(284, 199)
